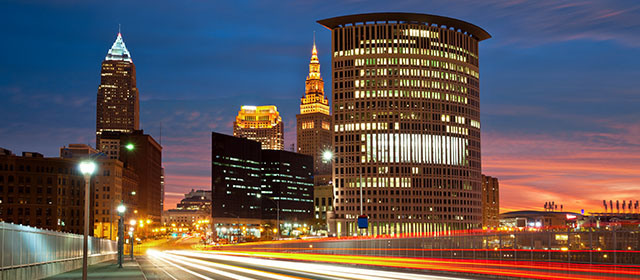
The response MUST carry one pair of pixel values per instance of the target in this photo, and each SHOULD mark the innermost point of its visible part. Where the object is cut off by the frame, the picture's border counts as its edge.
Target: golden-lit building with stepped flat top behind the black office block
(262, 124)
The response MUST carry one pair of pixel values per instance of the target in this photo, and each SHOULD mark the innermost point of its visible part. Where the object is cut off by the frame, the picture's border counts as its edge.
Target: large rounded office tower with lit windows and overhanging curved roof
(406, 110)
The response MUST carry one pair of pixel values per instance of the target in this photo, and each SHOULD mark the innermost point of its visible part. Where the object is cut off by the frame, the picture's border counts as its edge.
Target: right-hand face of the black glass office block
(287, 180)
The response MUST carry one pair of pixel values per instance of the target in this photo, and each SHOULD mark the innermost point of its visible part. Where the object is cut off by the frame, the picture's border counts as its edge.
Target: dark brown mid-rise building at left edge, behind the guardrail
(42, 192)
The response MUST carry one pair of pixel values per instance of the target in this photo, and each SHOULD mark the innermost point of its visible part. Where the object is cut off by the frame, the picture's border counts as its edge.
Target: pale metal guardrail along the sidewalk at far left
(28, 246)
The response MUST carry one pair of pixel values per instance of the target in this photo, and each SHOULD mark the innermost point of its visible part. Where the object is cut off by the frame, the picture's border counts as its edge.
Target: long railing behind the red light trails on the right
(588, 246)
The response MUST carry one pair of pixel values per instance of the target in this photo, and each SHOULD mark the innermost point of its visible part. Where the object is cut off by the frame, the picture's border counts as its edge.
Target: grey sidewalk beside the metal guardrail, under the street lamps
(106, 270)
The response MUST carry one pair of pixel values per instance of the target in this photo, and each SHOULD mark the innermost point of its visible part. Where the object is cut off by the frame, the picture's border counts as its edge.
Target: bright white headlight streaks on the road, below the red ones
(184, 264)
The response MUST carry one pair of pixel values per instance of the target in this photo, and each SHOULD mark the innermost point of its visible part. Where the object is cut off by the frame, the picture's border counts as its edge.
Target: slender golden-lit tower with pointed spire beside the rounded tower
(314, 121)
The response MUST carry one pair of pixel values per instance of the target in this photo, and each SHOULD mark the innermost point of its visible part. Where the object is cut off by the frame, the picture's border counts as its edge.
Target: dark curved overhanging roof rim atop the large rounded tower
(462, 26)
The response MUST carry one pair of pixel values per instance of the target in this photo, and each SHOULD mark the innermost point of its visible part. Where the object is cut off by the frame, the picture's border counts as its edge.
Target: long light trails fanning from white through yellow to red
(248, 265)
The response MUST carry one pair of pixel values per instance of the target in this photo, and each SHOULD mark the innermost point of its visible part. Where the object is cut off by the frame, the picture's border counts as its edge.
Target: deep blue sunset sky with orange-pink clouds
(559, 82)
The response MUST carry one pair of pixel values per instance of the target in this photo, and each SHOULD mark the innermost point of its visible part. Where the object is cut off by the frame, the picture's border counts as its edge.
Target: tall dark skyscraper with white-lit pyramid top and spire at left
(118, 101)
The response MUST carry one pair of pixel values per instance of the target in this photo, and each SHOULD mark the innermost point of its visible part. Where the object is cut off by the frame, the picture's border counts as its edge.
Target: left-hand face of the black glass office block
(235, 177)
